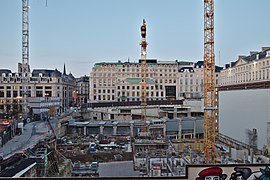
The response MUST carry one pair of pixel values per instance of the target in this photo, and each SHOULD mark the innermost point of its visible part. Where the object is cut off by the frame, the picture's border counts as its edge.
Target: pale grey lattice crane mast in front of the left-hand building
(25, 53)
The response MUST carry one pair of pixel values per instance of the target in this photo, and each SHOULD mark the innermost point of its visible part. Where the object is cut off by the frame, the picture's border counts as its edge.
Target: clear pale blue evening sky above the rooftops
(79, 33)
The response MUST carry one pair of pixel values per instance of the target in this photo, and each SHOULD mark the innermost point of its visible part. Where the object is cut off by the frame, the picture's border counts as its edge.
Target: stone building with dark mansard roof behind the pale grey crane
(41, 83)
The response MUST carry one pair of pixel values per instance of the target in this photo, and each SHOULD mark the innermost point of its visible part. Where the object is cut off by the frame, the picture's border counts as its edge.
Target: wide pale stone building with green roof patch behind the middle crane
(121, 81)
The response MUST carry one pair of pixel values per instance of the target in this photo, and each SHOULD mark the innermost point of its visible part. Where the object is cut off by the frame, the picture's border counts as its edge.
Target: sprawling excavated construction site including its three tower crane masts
(172, 137)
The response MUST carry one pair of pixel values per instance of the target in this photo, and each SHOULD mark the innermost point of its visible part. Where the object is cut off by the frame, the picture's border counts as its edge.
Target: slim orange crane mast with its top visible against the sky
(143, 75)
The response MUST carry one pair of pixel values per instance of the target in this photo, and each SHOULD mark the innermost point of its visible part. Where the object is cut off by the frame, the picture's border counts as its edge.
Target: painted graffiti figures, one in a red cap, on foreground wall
(239, 173)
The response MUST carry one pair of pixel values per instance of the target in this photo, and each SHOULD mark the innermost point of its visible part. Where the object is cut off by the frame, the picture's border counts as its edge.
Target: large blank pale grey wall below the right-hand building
(244, 109)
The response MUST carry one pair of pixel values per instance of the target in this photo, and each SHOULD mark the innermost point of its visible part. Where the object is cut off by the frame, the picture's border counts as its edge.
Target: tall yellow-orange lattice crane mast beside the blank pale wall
(210, 103)
